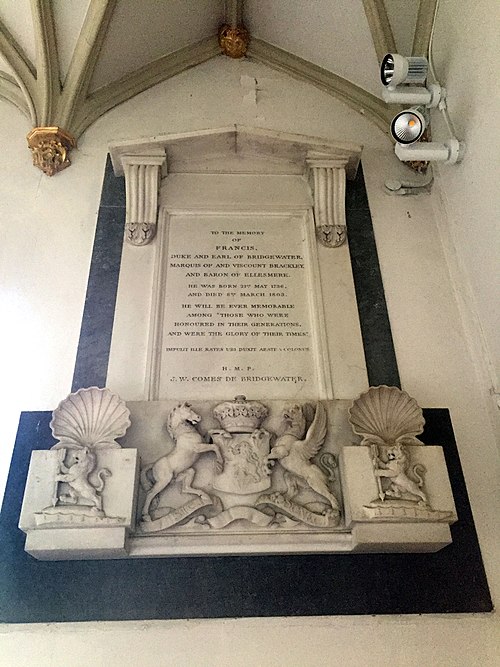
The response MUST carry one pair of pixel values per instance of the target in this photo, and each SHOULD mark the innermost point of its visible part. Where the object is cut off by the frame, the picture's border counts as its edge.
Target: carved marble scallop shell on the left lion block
(90, 417)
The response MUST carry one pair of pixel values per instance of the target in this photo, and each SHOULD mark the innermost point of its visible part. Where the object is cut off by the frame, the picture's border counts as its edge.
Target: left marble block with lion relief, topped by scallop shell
(81, 494)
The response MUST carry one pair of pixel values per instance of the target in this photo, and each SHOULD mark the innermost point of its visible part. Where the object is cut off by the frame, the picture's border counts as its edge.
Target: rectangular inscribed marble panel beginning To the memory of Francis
(236, 308)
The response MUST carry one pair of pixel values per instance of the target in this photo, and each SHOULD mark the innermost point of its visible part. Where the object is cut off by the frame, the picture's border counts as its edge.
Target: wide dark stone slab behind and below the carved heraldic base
(450, 581)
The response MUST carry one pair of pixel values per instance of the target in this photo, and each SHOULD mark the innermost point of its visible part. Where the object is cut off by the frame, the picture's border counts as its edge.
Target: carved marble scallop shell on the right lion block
(386, 413)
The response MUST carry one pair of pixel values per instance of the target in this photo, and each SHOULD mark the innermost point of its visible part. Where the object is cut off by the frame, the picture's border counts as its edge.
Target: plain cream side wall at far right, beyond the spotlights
(466, 48)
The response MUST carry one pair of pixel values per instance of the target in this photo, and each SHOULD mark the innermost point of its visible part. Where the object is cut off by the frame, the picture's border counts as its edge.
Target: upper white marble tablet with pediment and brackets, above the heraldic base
(242, 286)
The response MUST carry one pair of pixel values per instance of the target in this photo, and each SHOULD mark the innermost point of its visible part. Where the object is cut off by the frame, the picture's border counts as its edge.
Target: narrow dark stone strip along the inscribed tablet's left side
(92, 356)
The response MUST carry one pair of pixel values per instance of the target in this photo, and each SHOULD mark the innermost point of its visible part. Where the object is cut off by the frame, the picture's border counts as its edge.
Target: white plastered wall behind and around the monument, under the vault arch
(47, 228)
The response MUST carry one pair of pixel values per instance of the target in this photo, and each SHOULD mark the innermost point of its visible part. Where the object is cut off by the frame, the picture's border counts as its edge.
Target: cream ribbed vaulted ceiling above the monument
(66, 62)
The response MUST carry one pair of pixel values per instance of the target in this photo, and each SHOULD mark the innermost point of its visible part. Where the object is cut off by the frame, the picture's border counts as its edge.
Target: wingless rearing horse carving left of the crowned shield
(189, 444)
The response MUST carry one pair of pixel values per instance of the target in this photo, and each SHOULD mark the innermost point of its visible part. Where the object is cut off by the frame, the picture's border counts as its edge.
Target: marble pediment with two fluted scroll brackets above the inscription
(232, 150)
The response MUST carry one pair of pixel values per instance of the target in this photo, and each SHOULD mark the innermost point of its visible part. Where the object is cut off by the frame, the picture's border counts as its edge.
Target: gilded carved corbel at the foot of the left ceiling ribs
(50, 148)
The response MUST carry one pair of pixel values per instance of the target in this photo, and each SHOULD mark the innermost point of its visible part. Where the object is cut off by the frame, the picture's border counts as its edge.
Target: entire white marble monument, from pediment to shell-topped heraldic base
(236, 342)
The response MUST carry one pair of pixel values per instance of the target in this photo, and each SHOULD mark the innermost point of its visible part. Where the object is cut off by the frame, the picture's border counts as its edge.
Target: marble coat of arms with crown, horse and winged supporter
(263, 478)
